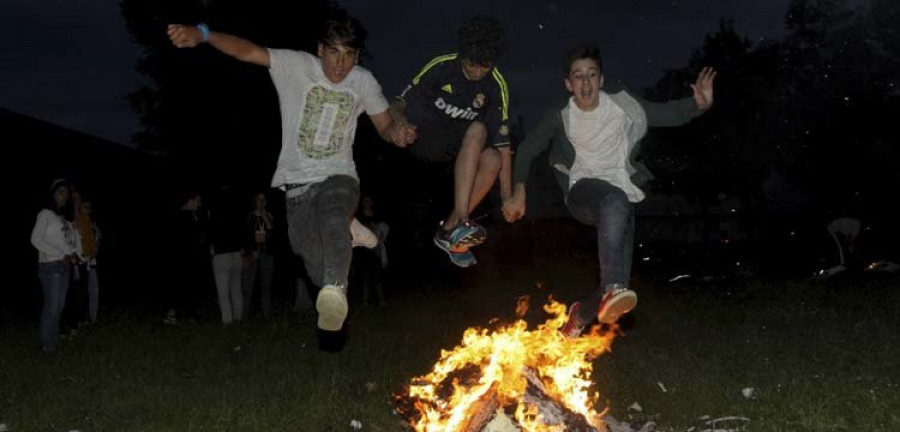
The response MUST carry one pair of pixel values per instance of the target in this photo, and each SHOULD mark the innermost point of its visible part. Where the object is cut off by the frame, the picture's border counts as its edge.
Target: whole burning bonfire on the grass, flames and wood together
(511, 378)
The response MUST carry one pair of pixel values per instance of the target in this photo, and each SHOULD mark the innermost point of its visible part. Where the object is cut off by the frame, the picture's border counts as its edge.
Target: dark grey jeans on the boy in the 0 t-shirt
(319, 228)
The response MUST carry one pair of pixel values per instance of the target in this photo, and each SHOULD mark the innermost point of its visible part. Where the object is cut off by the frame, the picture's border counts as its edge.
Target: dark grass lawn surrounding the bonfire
(821, 356)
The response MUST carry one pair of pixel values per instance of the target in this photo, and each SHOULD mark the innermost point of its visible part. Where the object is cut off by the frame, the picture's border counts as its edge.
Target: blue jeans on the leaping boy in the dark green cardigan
(598, 203)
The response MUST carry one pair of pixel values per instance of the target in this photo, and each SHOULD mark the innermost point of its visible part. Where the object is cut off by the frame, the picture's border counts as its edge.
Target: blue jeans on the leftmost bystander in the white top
(54, 277)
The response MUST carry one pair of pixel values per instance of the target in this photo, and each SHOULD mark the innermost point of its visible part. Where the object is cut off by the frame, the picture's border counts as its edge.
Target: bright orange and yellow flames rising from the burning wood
(563, 365)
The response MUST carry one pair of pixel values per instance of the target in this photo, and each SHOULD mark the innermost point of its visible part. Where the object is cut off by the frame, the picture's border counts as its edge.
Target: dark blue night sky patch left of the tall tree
(70, 62)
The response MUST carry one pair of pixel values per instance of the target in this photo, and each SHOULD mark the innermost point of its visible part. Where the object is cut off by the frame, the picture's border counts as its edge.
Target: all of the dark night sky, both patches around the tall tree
(71, 62)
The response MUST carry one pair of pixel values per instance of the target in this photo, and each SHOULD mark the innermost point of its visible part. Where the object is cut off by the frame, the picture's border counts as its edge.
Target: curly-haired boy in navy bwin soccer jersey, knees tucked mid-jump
(456, 109)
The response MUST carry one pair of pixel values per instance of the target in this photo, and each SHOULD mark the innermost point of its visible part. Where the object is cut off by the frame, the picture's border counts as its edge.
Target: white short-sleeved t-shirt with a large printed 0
(318, 117)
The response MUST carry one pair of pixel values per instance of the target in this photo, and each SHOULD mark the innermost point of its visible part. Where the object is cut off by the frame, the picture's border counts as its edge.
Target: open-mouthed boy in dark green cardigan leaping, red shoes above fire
(592, 137)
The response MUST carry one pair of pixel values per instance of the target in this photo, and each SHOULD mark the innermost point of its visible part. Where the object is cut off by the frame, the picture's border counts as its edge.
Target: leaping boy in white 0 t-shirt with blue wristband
(321, 98)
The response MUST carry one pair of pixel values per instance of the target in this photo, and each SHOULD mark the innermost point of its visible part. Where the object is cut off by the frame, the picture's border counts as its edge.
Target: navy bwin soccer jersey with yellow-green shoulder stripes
(441, 92)
